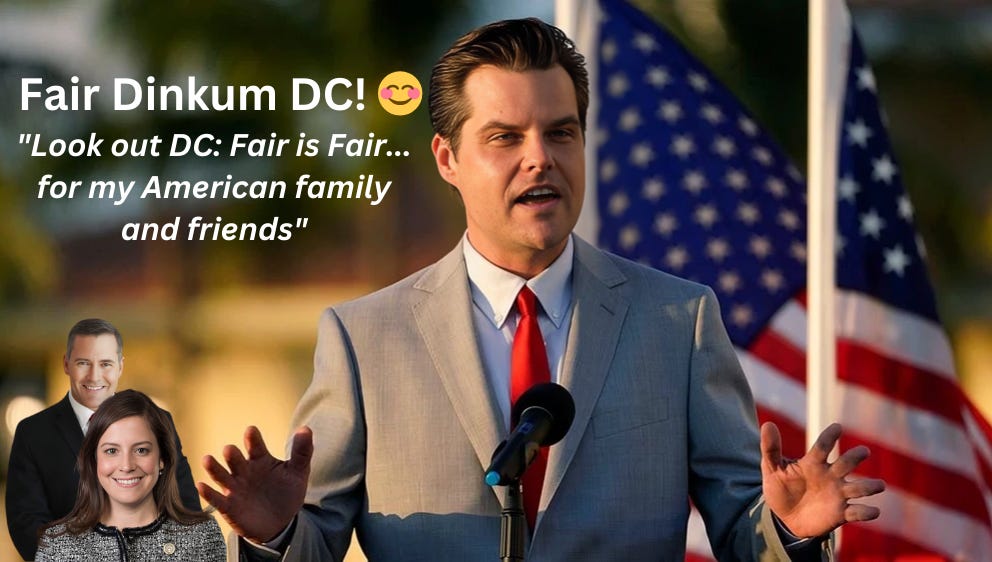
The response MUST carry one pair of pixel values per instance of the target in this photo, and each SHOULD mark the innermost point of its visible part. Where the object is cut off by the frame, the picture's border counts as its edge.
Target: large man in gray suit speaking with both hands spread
(410, 393)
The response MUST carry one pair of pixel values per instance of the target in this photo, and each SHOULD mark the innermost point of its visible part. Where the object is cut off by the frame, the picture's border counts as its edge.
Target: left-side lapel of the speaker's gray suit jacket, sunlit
(444, 319)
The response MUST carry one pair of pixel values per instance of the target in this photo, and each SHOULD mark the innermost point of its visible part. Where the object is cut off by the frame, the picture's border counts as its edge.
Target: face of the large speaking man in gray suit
(520, 167)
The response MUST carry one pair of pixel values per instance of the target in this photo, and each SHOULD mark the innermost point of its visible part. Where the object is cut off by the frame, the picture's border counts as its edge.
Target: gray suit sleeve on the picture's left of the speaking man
(331, 407)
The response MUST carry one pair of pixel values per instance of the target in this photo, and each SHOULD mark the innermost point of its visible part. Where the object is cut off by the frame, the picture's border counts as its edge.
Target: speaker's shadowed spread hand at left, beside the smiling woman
(261, 493)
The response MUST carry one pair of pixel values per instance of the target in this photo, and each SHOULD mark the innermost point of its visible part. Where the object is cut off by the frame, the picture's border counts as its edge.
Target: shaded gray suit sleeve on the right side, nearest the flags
(724, 450)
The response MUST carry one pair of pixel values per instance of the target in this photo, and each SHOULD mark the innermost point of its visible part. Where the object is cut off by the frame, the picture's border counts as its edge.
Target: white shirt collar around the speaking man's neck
(494, 289)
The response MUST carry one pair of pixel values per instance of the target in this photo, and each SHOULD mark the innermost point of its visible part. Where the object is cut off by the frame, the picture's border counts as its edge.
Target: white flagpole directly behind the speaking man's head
(578, 19)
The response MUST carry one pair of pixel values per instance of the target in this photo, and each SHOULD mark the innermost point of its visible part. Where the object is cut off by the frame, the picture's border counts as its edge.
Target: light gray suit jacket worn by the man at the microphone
(404, 424)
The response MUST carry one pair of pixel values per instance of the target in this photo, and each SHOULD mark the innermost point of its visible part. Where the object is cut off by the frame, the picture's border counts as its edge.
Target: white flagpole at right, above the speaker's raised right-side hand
(828, 45)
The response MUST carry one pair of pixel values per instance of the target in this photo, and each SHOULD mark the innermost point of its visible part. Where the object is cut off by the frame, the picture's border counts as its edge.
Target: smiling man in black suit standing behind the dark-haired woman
(42, 476)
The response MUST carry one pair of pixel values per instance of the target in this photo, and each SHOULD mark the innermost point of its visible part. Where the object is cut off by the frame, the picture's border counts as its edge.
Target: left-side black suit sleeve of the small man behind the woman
(26, 502)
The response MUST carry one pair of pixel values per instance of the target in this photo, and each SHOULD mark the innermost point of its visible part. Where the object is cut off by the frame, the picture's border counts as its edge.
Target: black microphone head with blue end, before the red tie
(540, 418)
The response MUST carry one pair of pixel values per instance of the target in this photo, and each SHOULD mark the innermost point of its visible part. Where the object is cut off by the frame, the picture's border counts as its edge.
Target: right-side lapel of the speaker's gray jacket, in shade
(597, 318)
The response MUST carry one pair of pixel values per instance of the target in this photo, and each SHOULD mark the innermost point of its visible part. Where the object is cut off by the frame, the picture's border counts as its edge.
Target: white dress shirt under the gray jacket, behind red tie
(495, 318)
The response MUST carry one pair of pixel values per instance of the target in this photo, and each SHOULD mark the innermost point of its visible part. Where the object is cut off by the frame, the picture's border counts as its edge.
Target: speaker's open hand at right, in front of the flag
(812, 496)
